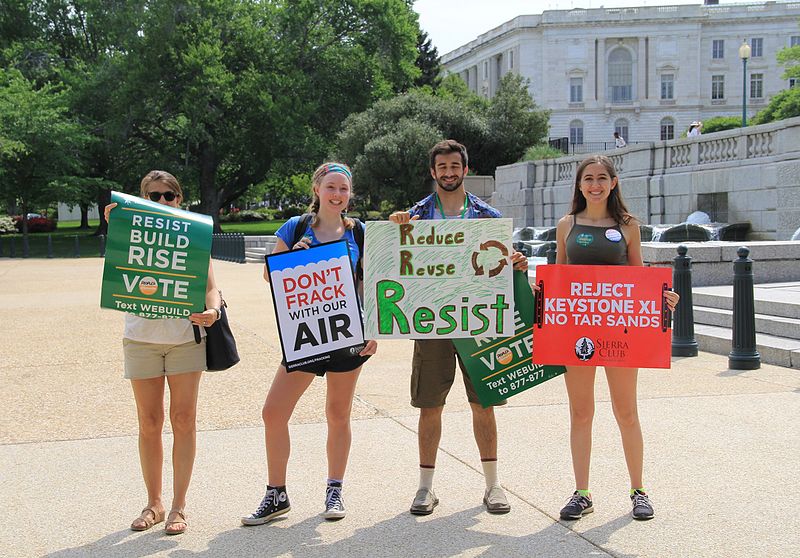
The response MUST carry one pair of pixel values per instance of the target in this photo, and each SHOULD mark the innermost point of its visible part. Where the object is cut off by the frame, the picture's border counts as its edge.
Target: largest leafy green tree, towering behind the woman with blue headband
(226, 91)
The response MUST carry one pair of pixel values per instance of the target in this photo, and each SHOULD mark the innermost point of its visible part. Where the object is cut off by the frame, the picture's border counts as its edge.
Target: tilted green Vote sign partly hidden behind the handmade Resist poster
(502, 367)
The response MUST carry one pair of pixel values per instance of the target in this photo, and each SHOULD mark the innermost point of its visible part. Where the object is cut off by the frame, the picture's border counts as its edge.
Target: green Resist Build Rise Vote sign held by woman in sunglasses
(156, 259)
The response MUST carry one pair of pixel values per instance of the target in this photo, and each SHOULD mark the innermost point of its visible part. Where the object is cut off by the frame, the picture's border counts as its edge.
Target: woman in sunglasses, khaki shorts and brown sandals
(165, 351)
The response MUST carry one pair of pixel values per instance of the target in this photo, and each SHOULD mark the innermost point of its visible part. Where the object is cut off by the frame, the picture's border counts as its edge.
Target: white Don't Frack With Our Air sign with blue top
(319, 317)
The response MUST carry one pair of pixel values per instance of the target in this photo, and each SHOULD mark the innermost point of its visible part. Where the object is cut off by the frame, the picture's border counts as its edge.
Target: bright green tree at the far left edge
(44, 162)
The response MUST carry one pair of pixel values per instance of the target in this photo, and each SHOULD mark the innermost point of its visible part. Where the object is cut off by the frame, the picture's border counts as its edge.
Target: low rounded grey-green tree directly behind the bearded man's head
(388, 144)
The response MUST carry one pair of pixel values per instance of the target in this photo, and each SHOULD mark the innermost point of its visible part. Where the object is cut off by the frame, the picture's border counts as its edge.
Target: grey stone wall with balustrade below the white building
(744, 175)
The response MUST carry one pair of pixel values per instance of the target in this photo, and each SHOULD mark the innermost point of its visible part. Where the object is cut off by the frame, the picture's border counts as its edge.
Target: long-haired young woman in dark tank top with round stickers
(599, 230)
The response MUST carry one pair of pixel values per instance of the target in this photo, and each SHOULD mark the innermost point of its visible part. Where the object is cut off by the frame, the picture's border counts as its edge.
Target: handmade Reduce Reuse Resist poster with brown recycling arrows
(438, 279)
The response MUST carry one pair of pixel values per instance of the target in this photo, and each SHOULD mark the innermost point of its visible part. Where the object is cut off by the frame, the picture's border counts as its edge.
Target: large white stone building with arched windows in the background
(645, 72)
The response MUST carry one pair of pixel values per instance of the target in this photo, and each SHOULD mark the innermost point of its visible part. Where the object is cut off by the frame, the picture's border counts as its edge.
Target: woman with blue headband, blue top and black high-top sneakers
(332, 190)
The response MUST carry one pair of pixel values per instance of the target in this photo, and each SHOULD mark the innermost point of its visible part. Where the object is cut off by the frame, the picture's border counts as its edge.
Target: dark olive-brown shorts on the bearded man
(433, 371)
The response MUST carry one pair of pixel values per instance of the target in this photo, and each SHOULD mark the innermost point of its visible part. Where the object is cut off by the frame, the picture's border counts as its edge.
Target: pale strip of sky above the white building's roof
(452, 24)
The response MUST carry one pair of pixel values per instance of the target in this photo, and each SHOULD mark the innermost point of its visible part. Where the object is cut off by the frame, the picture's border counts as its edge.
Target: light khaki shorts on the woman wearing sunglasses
(151, 360)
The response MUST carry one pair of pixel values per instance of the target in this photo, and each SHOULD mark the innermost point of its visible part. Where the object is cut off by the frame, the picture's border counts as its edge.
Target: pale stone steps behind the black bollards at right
(777, 321)
